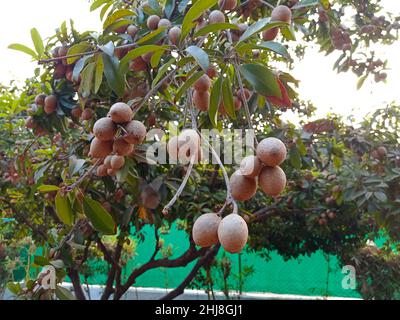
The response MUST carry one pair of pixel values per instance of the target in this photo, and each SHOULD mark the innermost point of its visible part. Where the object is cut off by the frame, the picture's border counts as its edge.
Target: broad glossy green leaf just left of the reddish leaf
(262, 79)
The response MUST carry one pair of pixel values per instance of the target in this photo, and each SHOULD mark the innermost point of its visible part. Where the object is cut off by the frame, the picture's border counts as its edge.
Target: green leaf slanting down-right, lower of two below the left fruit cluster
(99, 217)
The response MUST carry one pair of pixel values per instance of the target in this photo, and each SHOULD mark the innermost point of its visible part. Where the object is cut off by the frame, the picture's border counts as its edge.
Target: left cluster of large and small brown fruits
(110, 146)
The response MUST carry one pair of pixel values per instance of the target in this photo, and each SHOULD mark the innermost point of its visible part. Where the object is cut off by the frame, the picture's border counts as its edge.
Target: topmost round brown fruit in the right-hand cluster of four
(271, 151)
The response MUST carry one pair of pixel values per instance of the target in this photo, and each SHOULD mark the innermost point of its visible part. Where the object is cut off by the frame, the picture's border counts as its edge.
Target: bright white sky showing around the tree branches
(319, 83)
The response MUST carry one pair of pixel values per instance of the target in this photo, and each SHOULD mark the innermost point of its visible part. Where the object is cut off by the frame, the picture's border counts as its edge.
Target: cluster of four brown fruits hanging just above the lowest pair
(262, 169)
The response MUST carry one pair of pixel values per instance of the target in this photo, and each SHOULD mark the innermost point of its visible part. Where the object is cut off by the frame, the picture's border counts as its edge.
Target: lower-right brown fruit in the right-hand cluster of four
(272, 180)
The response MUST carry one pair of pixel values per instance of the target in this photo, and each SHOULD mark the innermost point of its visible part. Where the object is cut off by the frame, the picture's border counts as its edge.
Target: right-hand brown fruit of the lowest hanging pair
(233, 233)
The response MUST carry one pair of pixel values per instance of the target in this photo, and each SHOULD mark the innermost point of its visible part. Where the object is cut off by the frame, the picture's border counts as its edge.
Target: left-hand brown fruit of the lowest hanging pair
(205, 230)
